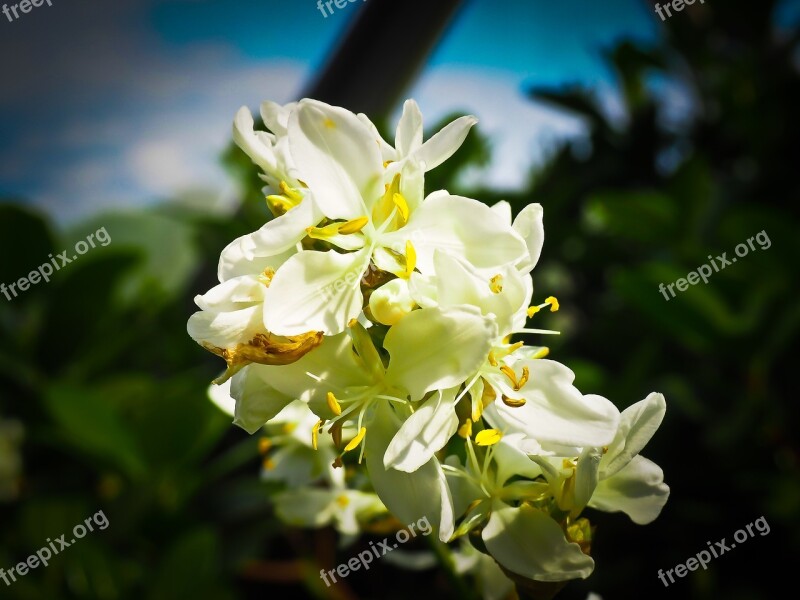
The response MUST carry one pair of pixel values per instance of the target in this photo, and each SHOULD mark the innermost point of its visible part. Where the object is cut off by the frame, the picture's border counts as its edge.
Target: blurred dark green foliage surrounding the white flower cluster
(111, 392)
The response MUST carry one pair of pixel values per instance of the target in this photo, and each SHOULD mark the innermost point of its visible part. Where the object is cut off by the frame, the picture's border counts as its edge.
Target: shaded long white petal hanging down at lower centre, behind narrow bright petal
(409, 496)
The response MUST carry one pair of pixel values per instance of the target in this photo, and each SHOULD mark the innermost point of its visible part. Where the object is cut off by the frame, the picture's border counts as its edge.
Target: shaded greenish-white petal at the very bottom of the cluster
(528, 542)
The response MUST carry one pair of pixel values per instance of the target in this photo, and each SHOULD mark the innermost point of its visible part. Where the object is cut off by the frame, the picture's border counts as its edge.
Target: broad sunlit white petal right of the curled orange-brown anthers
(554, 411)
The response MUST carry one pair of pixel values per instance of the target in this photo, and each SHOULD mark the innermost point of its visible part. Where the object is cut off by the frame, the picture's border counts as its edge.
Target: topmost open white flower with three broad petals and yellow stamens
(338, 160)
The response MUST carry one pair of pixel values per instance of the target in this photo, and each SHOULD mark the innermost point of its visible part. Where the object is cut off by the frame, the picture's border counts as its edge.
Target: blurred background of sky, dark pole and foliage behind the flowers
(651, 145)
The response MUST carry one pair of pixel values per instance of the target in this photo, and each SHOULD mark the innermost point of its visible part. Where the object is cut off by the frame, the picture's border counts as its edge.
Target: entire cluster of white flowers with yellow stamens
(389, 314)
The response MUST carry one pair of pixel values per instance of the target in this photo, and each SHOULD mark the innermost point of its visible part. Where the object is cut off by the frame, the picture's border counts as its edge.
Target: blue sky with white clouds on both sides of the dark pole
(126, 103)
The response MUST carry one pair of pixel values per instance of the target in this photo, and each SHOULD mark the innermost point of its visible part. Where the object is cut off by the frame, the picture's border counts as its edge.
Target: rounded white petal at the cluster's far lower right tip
(638, 490)
